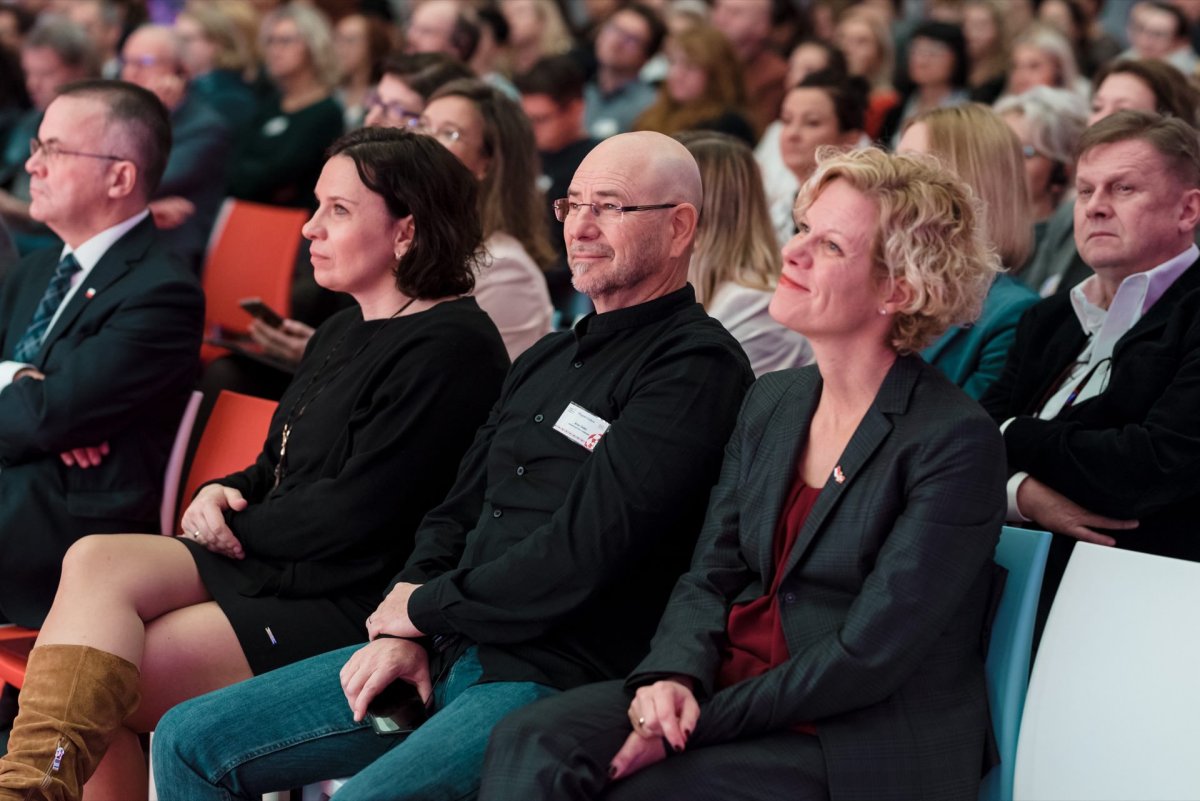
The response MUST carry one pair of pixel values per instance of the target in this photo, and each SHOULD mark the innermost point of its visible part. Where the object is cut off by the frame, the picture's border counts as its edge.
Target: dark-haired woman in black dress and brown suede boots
(287, 558)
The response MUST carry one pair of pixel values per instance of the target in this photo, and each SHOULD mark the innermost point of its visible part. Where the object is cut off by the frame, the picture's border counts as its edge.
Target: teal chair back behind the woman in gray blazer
(1023, 553)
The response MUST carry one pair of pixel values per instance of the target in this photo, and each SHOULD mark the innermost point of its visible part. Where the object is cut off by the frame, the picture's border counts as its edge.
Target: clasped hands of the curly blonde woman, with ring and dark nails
(663, 714)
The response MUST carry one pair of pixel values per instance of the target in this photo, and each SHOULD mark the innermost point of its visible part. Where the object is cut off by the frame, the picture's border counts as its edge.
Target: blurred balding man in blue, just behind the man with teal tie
(193, 189)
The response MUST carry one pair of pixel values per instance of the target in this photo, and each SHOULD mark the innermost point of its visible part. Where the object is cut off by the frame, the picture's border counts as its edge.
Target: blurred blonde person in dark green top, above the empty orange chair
(283, 155)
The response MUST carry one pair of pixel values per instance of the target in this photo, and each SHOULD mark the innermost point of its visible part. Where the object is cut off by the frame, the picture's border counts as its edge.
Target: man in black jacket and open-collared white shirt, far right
(1099, 400)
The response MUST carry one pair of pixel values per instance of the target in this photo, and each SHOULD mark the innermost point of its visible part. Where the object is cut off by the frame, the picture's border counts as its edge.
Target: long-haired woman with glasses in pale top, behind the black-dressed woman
(493, 137)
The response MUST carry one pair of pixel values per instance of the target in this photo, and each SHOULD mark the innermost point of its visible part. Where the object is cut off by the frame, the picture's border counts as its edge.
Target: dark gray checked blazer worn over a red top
(886, 591)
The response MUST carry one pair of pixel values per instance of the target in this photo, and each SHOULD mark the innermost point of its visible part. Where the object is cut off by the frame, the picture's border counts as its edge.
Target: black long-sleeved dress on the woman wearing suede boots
(375, 450)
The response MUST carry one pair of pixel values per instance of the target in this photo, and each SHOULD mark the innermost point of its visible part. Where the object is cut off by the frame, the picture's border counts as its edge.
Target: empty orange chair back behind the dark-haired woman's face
(251, 255)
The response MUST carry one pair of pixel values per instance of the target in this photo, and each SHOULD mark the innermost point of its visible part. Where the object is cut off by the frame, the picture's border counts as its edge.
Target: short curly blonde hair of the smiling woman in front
(932, 237)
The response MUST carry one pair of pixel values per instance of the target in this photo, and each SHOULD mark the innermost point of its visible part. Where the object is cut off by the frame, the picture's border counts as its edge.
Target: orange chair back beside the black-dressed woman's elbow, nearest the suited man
(232, 441)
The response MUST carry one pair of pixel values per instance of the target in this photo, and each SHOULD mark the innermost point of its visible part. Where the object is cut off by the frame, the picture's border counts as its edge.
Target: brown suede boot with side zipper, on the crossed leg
(74, 700)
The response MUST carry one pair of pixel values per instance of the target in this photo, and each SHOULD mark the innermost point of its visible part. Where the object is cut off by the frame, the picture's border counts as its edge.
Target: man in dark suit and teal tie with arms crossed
(99, 342)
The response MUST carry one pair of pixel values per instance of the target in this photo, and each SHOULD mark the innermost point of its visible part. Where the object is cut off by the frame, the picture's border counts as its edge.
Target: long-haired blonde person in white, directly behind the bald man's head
(735, 260)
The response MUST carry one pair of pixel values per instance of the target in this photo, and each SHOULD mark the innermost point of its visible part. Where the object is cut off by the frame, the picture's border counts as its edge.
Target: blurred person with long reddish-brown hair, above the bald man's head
(703, 89)
